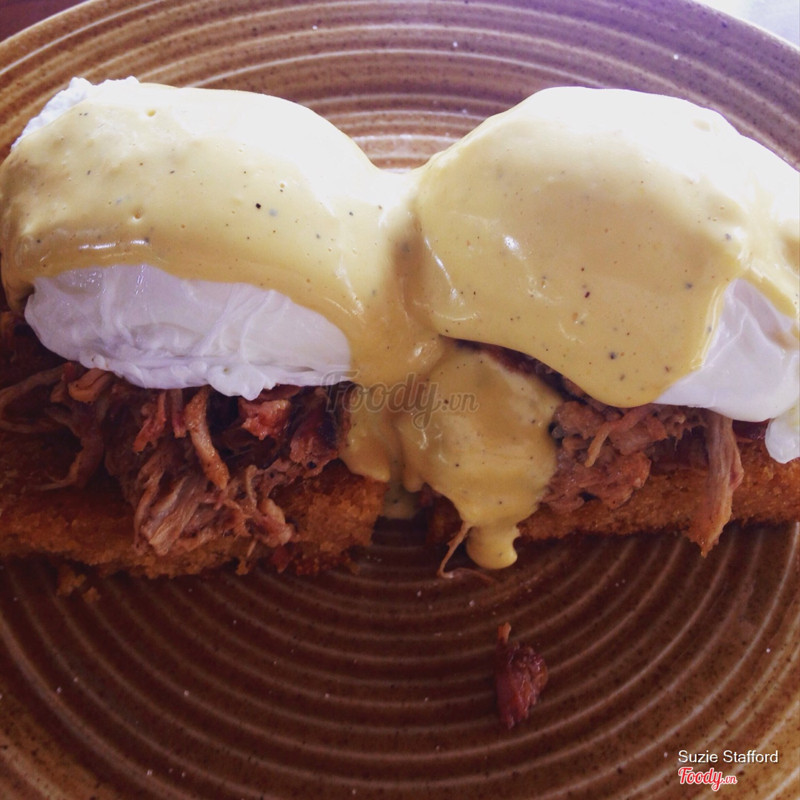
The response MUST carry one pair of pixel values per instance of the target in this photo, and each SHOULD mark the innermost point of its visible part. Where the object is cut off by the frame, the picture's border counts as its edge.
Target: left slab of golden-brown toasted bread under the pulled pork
(332, 512)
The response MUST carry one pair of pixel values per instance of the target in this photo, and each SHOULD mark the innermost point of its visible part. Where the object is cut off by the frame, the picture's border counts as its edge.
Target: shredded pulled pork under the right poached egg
(608, 453)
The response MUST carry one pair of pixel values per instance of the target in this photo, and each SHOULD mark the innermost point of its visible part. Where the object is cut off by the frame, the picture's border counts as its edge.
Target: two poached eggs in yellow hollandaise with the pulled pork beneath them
(587, 291)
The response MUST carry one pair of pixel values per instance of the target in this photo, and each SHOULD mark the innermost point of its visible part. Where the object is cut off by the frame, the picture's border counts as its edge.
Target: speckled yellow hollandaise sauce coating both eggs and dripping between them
(598, 231)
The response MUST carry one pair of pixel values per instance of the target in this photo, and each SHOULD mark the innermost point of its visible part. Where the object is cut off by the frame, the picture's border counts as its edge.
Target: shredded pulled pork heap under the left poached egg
(191, 463)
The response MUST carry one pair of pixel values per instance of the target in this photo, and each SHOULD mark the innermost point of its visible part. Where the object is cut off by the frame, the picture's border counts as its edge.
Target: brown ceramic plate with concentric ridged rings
(377, 683)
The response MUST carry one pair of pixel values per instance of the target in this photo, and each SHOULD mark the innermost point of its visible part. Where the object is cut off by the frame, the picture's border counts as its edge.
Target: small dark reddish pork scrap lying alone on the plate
(520, 675)
